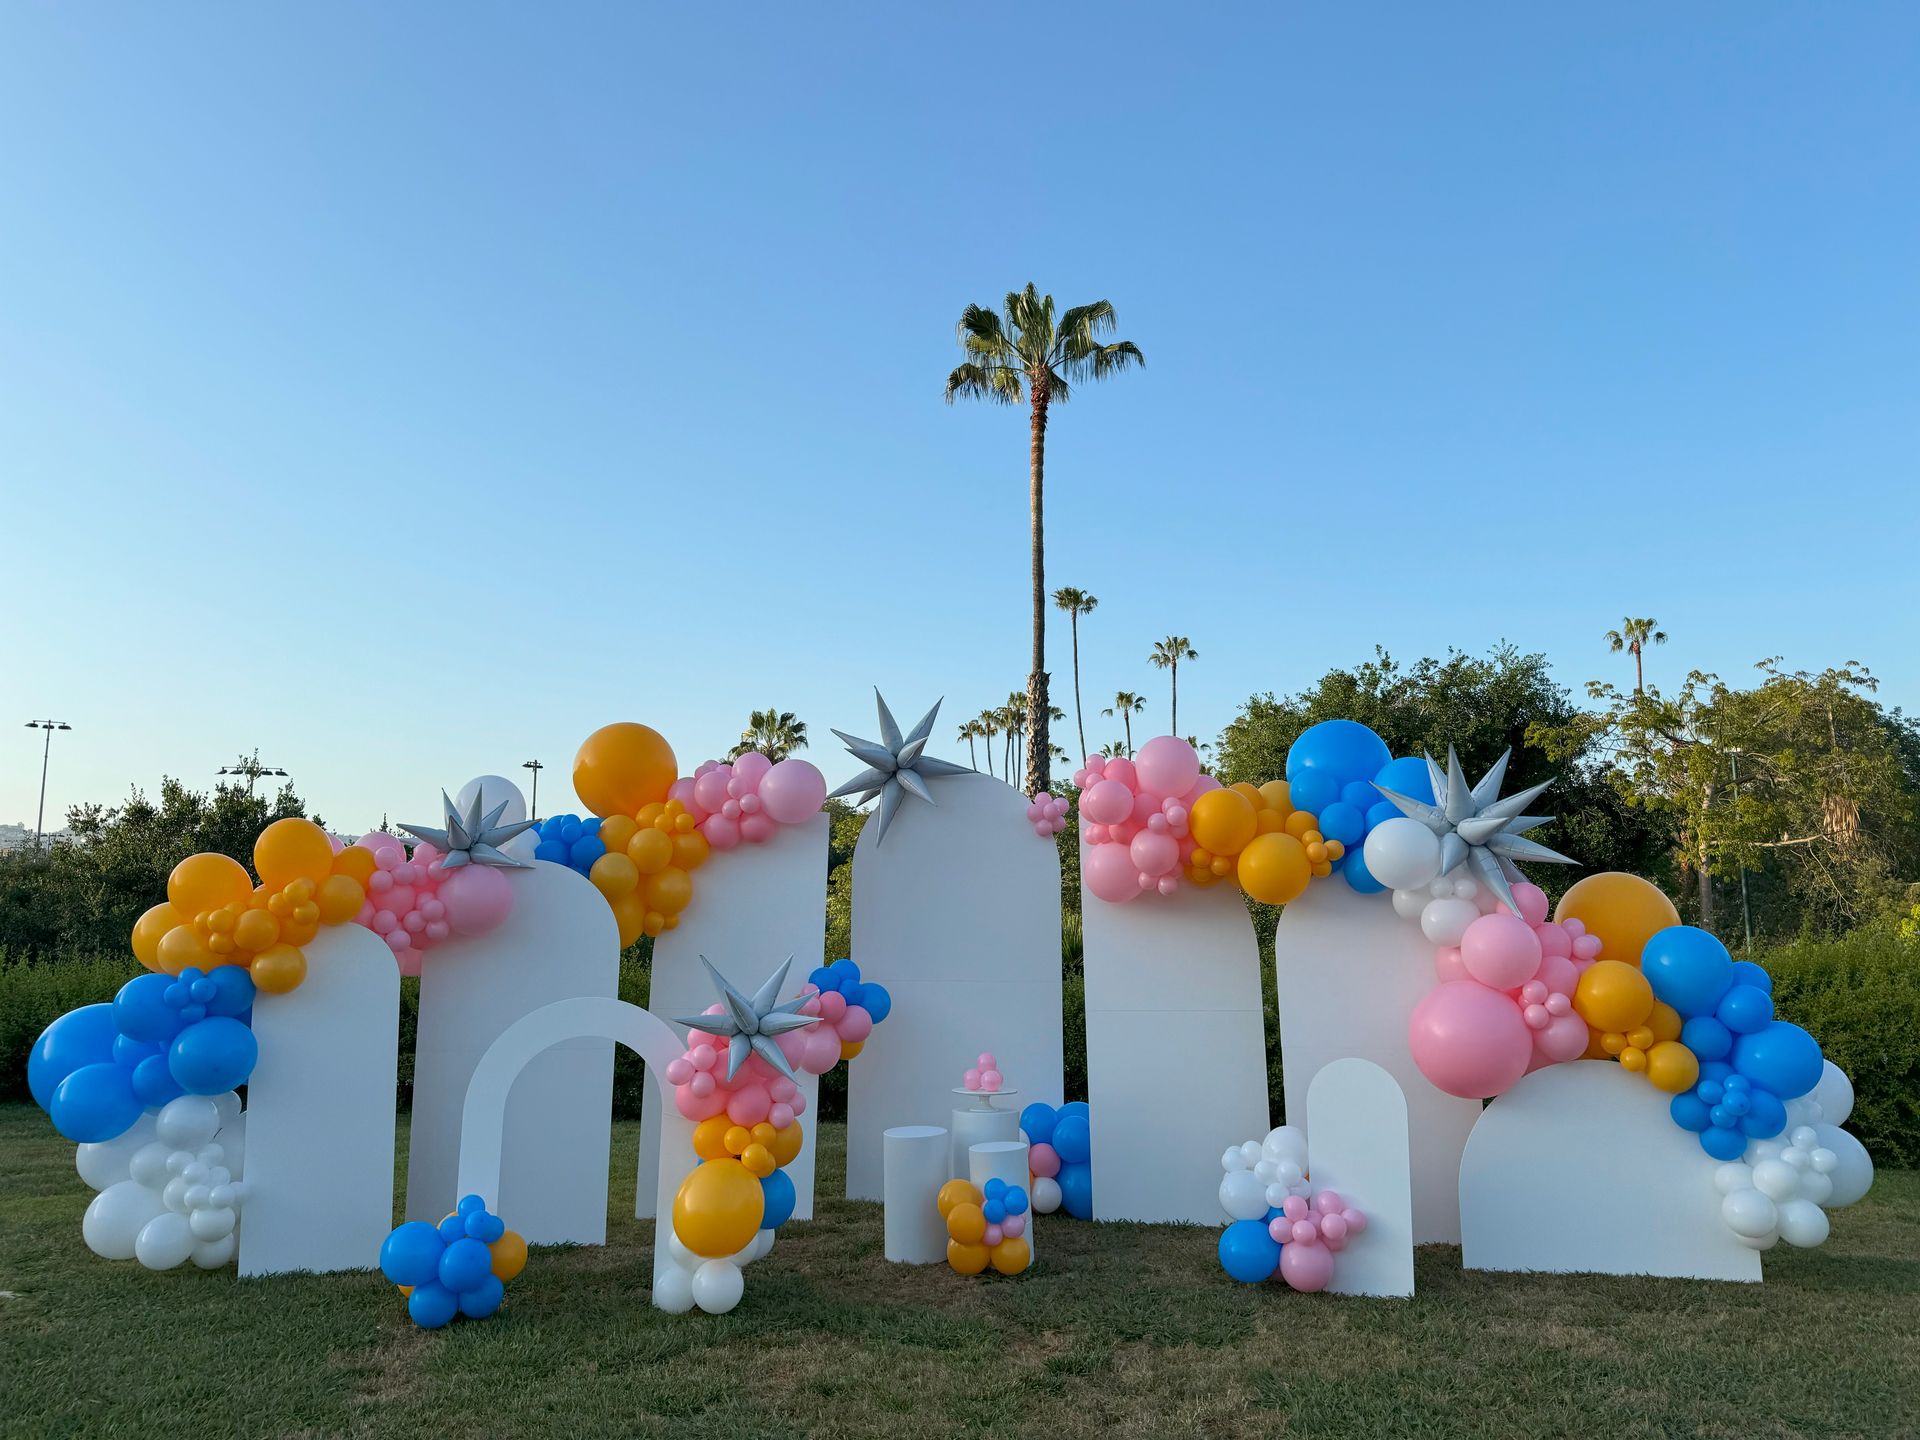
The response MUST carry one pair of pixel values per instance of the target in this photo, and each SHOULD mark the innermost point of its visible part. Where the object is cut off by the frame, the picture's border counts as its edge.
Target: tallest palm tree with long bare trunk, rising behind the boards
(1028, 356)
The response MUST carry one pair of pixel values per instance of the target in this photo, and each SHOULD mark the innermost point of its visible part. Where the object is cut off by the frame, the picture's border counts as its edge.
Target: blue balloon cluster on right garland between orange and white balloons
(1750, 1065)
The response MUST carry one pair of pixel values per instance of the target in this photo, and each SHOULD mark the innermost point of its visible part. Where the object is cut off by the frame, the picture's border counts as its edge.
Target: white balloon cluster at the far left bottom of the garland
(170, 1188)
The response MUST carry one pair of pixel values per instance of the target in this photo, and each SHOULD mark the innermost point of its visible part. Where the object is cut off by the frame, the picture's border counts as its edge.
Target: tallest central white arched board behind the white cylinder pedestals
(957, 913)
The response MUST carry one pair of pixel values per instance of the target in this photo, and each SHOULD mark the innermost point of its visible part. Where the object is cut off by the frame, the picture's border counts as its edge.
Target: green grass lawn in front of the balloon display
(1120, 1330)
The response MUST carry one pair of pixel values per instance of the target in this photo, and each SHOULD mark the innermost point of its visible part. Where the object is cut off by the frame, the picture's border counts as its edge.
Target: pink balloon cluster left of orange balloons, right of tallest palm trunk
(1134, 817)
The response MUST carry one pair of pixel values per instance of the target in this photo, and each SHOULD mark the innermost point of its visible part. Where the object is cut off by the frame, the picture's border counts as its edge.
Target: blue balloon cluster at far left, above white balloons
(99, 1068)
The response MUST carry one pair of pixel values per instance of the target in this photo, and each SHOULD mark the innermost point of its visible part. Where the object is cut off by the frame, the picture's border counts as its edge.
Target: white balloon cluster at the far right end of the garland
(1777, 1191)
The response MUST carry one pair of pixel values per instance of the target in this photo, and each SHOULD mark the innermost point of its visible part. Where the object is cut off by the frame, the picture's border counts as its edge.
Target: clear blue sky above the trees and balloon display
(408, 391)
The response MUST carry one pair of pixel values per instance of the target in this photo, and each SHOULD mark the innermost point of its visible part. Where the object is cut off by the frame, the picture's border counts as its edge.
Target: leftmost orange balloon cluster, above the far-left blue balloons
(216, 915)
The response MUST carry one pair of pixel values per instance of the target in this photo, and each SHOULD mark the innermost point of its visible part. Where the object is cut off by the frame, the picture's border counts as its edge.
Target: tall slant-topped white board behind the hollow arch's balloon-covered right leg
(752, 909)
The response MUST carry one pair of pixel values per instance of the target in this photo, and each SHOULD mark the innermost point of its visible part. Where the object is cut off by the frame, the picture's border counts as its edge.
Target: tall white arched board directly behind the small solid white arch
(1349, 974)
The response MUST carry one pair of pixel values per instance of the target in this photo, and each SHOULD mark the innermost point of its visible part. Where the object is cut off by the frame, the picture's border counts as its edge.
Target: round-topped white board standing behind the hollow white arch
(558, 944)
